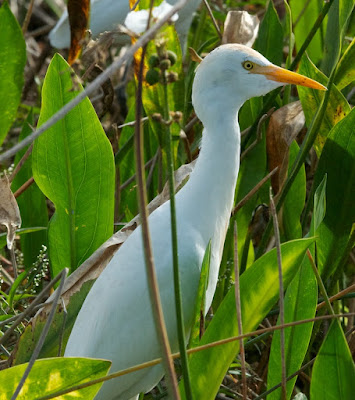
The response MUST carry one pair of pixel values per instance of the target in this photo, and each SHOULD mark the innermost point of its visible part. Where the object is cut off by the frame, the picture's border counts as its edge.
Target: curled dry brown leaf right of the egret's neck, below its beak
(284, 126)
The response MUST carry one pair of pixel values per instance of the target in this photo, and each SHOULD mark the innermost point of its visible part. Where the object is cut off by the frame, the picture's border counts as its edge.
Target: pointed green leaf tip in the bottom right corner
(333, 375)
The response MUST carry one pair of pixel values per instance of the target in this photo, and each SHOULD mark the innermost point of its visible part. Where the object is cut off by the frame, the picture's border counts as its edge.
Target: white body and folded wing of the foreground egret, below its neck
(116, 320)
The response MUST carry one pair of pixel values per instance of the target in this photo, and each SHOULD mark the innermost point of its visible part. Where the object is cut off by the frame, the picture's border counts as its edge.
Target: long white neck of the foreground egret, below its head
(209, 194)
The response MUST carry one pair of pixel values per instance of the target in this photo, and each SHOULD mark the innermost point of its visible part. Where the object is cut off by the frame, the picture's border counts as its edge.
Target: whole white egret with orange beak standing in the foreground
(116, 321)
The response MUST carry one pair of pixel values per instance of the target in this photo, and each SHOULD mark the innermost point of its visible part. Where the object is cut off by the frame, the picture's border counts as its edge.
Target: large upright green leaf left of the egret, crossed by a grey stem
(73, 166)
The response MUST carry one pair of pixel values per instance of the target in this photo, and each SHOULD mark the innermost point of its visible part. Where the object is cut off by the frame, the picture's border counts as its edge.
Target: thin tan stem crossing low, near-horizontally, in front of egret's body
(190, 351)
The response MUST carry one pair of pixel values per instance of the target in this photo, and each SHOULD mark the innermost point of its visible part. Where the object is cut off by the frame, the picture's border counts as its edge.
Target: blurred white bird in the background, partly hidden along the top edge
(106, 15)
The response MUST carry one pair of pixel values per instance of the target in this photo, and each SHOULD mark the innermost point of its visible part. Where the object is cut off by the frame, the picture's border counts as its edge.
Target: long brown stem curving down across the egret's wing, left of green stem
(147, 244)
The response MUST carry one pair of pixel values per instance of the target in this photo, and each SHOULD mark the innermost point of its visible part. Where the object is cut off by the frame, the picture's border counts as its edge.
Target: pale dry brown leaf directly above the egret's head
(240, 27)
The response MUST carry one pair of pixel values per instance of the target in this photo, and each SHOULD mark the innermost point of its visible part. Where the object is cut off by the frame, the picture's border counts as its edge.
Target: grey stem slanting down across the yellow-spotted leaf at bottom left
(43, 336)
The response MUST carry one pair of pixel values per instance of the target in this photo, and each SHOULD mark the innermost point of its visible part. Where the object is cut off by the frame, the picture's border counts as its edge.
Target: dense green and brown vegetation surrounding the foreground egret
(77, 186)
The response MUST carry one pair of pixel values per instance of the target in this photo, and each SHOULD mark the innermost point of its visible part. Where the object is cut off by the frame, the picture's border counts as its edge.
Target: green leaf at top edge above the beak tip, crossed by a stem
(304, 15)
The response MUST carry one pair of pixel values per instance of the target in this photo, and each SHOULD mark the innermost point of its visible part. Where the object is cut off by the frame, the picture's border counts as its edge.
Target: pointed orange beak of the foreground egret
(282, 75)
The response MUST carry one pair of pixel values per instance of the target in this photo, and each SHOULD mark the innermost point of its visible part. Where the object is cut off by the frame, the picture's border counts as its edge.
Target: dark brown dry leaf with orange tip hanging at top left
(78, 12)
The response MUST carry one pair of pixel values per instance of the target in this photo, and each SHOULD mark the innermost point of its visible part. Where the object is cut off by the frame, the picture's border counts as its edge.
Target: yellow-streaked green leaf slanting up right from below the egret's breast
(259, 290)
